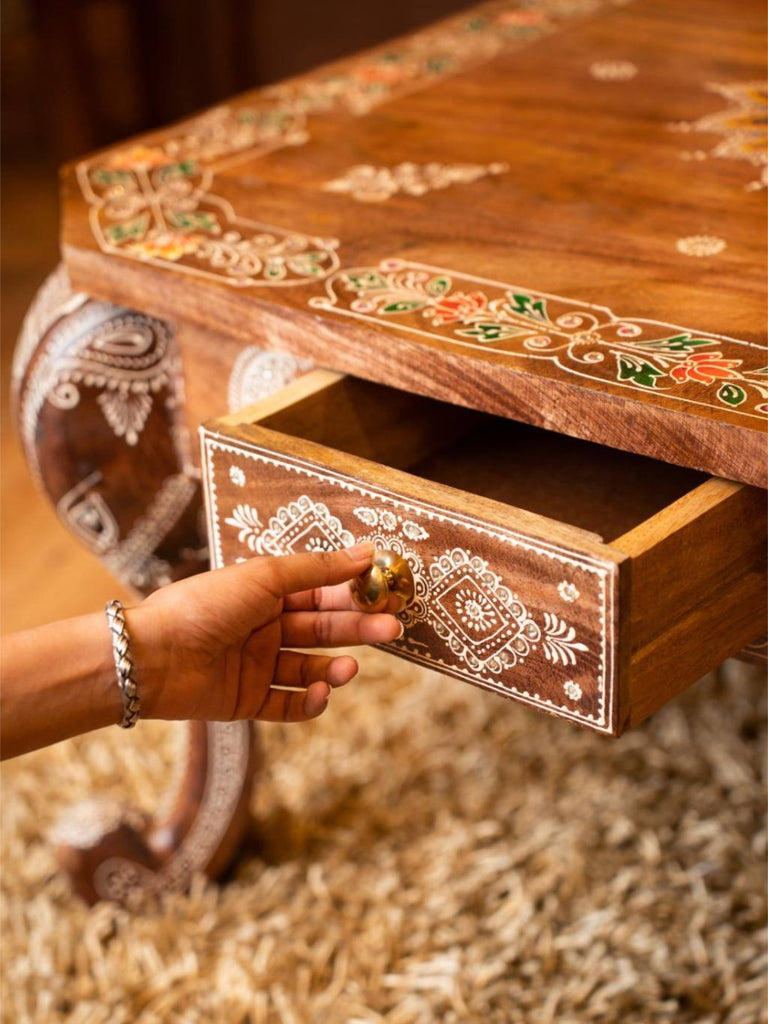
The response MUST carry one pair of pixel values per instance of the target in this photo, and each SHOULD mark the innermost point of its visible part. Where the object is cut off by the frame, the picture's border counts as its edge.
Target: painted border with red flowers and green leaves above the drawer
(585, 340)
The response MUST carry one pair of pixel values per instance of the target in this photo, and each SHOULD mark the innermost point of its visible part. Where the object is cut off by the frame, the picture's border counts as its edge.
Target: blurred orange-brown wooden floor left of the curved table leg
(45, 573)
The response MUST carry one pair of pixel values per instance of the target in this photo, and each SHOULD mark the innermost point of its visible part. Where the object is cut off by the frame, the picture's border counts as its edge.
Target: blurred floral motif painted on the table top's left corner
(167, 215)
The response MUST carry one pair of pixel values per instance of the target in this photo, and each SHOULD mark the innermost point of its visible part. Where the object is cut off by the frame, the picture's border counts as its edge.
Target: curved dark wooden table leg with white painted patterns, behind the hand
(100, 407)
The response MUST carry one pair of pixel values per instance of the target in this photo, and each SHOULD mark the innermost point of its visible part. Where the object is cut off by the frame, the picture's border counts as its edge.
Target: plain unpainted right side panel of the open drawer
(699, 589)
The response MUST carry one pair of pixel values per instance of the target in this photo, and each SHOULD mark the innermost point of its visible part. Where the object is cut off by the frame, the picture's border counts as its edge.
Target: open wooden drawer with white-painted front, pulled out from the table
(580, 580)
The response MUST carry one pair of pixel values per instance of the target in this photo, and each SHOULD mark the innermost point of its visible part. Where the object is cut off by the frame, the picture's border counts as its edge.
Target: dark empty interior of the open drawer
(601, 490)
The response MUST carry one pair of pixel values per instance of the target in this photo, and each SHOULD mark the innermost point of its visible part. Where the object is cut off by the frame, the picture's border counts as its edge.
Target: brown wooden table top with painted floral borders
(552, 210)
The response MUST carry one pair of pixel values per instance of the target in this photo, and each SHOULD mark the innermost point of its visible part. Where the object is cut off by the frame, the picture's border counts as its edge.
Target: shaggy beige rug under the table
(425, 852)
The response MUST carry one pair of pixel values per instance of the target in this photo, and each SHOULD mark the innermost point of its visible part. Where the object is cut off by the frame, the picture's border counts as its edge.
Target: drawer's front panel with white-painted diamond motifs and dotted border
(514, 614)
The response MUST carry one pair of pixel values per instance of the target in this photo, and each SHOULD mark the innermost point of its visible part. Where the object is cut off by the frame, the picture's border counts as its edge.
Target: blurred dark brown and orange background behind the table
(78, 75)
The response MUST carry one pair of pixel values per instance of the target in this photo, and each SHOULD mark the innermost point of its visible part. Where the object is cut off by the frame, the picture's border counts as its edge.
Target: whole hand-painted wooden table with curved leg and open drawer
(527, 244)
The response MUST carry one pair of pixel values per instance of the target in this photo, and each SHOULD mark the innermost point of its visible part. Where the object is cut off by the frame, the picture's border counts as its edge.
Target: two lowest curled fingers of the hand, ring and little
(316, 675)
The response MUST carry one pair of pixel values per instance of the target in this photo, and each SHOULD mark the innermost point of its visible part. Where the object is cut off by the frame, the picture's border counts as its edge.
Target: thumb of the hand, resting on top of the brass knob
(291, 574)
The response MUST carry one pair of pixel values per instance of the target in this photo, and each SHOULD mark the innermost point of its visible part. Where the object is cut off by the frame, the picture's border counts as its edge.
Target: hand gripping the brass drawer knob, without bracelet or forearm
(214, 647)
